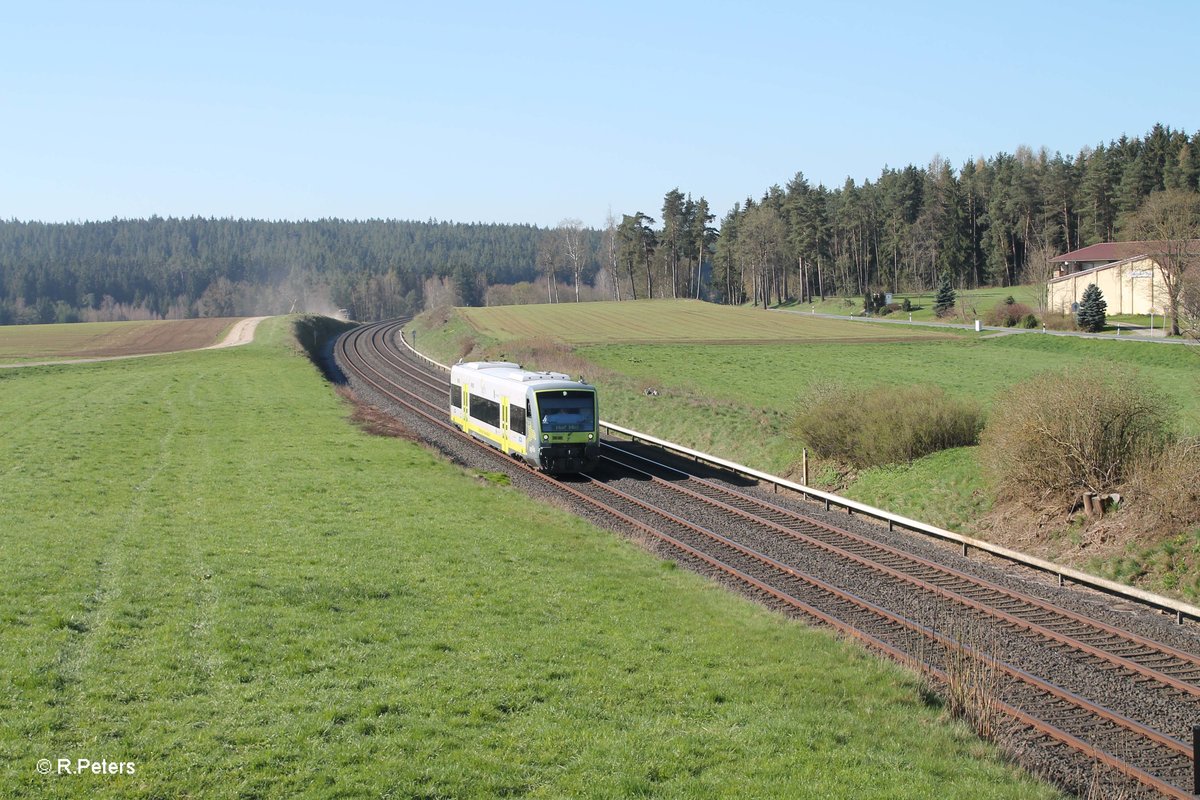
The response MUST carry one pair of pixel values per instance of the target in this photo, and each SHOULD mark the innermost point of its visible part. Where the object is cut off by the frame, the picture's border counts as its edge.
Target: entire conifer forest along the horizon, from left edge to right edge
(991, 221)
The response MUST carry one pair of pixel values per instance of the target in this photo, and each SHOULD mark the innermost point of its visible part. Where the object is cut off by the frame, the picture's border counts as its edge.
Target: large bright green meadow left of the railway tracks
(211, 574)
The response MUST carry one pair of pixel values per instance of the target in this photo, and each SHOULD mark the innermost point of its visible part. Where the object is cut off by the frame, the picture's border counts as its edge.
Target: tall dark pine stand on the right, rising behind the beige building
(995, 221)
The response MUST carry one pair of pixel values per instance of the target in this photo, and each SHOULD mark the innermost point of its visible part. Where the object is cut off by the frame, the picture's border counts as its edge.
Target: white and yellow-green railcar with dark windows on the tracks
(543, 418)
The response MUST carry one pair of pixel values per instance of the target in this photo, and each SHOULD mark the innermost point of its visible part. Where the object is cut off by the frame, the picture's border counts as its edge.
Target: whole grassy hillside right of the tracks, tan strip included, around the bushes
(718, 382)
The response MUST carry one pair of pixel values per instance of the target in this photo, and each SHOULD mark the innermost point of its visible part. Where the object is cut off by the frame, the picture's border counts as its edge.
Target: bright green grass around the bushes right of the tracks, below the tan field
(737, 401)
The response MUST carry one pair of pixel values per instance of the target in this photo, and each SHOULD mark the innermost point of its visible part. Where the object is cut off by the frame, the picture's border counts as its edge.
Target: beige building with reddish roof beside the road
(1130, 280)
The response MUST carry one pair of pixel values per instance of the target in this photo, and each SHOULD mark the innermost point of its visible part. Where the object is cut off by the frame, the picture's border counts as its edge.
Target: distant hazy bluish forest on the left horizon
(171, 268)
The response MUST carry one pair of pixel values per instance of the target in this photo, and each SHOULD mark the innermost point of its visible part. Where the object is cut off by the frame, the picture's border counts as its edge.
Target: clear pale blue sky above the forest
(501, 112)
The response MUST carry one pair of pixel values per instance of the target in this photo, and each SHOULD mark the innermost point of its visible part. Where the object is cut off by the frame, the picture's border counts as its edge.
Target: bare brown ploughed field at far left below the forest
(27, 344)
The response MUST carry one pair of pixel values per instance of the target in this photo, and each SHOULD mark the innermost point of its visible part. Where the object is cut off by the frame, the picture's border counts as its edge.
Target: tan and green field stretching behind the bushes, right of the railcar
(734, 359)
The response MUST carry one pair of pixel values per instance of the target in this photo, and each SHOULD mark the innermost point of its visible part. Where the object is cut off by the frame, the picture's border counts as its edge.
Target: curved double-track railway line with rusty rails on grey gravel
(1078, 695)
